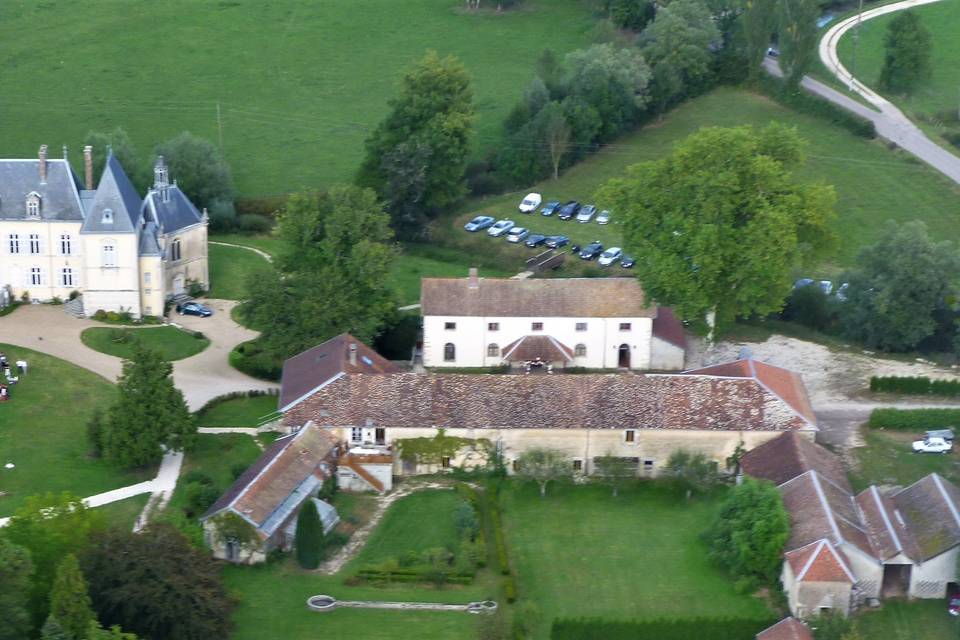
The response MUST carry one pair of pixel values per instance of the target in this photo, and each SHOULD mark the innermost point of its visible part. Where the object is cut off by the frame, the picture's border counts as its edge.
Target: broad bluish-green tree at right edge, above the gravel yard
(899, 288)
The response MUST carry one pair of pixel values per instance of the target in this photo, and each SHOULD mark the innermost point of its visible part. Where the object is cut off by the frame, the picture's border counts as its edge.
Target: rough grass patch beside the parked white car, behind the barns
(888, 459)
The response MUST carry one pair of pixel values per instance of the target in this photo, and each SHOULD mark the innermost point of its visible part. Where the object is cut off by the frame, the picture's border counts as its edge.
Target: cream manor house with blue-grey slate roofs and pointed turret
(118, 250)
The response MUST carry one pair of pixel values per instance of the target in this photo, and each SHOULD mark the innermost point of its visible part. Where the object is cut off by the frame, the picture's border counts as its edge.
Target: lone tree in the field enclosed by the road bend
(907, 50)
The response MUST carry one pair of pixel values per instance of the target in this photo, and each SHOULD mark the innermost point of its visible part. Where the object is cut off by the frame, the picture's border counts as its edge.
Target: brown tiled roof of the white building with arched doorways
(535, 297)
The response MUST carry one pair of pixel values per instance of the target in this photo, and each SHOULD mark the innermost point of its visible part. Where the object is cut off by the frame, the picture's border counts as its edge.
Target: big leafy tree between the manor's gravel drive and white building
(331, 274)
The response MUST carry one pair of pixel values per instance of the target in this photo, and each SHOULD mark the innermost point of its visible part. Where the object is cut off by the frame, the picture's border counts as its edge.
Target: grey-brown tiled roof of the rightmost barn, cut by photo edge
(930, 509)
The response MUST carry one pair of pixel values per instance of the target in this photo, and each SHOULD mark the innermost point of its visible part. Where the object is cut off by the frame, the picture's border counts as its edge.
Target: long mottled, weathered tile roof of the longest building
(596, 401)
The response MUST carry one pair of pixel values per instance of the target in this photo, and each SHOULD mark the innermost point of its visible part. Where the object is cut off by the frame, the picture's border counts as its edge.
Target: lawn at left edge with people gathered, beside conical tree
(42, 431)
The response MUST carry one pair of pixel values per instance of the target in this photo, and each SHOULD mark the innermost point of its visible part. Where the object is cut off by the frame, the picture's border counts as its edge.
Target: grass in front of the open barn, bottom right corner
(917, 620)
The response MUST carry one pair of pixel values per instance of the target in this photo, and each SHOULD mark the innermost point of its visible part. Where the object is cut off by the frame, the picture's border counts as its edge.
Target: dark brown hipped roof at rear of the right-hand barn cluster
(790, 455)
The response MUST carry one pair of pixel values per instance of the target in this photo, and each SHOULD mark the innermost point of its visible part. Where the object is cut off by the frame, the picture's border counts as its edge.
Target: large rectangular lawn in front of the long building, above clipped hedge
(582, 552)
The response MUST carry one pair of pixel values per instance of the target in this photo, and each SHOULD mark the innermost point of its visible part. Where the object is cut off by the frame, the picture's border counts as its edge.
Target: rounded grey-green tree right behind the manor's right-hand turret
(199, 168)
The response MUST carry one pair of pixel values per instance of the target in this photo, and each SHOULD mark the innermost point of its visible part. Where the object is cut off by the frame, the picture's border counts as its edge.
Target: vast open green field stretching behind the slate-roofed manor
(299, 85)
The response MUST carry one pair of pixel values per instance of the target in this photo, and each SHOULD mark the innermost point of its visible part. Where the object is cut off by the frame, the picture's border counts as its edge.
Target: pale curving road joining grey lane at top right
(890, 122)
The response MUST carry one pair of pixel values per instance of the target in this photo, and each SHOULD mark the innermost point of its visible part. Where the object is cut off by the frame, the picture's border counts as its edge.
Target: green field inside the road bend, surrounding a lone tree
(938, 94)
